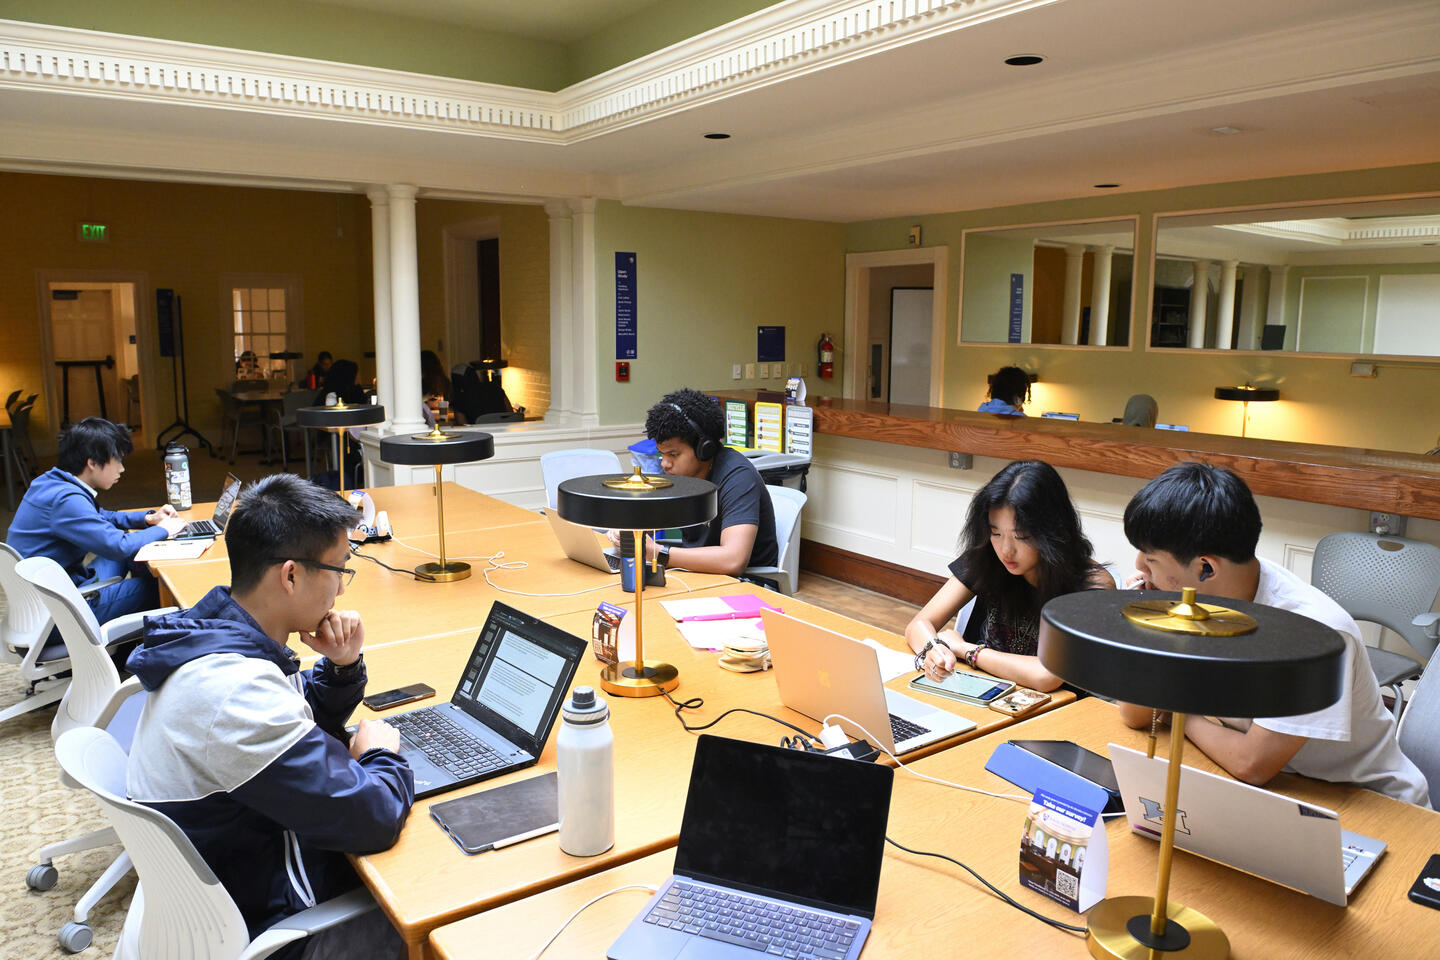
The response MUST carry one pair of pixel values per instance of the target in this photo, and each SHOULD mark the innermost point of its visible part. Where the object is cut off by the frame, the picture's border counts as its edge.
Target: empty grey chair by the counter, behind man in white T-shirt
(1386, 581)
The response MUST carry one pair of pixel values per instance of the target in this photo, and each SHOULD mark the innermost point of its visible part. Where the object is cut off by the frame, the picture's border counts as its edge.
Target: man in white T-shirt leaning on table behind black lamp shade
(1197, 526)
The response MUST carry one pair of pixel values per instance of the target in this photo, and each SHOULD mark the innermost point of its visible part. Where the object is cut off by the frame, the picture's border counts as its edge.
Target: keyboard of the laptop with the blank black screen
(747, 922)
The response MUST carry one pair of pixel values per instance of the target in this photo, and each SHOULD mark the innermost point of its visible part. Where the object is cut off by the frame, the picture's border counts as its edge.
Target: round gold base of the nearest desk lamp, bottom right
(1120, 929)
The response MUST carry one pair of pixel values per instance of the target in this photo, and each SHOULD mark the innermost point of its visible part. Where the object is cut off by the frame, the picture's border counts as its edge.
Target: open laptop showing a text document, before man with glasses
(503, 709)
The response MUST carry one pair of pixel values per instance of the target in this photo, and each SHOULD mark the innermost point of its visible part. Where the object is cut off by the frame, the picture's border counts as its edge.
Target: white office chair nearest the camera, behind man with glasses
(181, 910)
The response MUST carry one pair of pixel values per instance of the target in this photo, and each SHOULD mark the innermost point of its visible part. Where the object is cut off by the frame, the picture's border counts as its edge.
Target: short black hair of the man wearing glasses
(283, 516)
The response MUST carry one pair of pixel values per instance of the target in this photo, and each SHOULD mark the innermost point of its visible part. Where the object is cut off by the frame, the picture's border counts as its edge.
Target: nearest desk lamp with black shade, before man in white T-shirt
(1169, 653)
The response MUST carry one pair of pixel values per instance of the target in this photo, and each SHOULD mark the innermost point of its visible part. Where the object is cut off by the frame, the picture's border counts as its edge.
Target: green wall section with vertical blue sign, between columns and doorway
(705, 281)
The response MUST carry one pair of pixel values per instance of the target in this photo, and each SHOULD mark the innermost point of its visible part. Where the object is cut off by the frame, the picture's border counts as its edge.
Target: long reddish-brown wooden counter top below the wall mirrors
(1406, 484)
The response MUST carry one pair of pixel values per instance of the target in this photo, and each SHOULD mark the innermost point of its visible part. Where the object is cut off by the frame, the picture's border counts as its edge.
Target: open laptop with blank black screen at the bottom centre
(757, 871)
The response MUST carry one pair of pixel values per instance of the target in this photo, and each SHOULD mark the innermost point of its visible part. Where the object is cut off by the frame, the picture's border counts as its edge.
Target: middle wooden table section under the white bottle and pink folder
(424, 882)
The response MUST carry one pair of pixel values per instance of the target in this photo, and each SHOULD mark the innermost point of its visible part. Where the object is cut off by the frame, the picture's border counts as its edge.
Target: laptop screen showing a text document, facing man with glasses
(518, 676)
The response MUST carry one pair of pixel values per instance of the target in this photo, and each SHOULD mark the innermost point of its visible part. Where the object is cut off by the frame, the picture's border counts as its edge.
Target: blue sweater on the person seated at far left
(58, 519)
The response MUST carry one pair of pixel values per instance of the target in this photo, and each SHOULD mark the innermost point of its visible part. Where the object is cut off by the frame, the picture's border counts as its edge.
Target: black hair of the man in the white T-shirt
(1192, 510)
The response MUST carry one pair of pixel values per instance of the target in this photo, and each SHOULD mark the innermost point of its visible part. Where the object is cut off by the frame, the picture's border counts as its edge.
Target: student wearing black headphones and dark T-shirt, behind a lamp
(688, 427)
